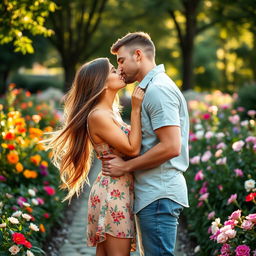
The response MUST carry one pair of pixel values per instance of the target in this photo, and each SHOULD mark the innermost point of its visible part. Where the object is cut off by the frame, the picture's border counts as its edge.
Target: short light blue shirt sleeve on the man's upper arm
(163, 107)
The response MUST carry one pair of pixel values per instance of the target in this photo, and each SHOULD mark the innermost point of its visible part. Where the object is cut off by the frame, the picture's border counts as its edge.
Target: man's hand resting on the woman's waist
(113, 165)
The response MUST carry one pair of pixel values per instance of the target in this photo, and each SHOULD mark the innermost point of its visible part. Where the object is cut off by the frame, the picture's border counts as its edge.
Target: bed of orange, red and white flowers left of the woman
(29, 199)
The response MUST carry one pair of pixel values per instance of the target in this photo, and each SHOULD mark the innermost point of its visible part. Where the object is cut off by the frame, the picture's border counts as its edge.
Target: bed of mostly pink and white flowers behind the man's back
(221, 178)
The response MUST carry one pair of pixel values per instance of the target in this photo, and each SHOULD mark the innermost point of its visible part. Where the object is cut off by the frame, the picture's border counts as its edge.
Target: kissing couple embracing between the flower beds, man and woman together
(142, 163)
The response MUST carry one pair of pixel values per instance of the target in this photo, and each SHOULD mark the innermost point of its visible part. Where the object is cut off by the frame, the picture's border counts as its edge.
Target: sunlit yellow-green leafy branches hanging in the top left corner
(20, 19)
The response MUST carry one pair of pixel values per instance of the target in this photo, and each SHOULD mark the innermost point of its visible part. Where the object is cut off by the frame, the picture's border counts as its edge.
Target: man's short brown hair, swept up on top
(137, 39)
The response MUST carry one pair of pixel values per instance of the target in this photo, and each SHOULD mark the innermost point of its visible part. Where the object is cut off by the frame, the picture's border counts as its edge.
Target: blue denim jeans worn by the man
(158, 224)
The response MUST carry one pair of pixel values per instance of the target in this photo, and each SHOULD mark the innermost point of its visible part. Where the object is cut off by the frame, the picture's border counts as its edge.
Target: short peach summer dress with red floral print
(110, 204)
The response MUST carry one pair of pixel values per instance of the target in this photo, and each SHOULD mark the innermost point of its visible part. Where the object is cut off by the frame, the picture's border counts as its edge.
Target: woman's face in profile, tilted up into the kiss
(114, 81)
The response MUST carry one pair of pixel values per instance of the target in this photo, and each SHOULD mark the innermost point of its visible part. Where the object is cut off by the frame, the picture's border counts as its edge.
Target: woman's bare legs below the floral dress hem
(117, 246)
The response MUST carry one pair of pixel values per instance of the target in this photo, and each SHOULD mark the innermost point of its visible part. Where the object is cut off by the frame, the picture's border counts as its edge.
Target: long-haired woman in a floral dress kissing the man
(91, 122)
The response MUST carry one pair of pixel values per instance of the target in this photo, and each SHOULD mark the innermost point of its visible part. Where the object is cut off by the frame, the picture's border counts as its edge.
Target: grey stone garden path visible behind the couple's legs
(75, 244)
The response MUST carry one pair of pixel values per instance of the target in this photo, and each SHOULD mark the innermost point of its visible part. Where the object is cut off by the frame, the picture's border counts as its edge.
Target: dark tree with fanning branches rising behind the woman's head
(75, 24)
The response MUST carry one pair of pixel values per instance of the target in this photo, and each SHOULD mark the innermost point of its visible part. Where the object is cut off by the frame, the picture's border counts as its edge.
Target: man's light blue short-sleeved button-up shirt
(163, 105)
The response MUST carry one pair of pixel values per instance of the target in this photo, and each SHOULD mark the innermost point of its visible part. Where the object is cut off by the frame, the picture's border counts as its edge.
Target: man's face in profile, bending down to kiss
(127, 64)
